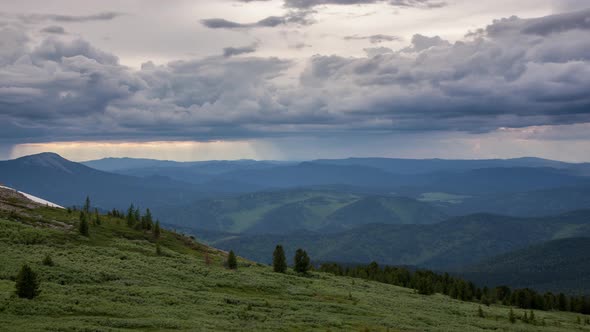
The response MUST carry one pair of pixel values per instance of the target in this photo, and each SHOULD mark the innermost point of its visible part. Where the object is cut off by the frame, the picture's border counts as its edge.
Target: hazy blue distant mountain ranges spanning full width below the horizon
(519, 187)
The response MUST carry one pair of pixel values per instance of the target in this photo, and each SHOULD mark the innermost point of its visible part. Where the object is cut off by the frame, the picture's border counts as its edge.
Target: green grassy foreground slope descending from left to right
(114, 281)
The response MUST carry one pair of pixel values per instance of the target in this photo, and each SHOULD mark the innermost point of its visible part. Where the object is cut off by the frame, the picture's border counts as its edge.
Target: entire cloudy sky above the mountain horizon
(295, 79)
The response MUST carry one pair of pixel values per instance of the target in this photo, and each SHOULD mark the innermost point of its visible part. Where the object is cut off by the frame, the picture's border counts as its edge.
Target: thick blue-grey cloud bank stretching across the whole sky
(513, 73)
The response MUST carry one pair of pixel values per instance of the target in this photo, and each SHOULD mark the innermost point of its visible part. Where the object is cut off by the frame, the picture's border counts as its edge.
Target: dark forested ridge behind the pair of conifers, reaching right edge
(451, 244)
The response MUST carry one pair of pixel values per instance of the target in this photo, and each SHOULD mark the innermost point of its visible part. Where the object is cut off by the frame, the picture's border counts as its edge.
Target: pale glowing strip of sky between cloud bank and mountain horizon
(187, 151)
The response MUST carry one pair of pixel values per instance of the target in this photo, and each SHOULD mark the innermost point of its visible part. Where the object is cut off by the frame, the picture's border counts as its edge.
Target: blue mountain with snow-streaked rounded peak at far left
(62, 181)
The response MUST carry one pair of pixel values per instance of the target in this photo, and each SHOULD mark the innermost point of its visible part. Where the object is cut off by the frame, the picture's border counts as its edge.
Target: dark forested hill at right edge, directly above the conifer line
(559, 266)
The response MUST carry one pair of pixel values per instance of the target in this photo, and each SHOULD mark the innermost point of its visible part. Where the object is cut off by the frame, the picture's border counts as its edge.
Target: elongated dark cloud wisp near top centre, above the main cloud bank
(293, 17)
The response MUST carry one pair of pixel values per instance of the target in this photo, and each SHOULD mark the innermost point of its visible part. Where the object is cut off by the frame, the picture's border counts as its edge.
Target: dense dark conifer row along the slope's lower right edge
(428, 282)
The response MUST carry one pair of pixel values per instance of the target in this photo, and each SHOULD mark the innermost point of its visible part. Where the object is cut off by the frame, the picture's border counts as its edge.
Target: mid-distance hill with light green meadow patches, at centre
(289, 210)
